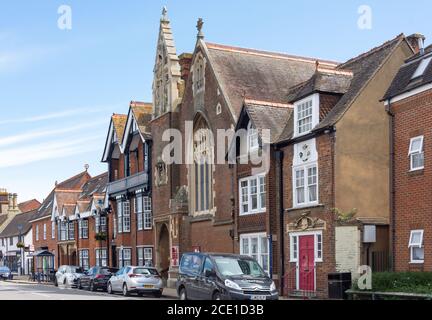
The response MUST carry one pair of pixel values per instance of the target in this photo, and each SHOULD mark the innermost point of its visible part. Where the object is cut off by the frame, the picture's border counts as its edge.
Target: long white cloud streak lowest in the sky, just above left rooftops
(46, 151)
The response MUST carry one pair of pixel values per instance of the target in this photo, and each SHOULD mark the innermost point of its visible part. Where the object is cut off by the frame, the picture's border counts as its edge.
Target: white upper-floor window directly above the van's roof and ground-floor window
(252, 193)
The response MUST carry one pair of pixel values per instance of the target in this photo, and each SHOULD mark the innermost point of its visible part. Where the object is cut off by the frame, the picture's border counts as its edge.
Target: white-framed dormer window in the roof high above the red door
(306, 115)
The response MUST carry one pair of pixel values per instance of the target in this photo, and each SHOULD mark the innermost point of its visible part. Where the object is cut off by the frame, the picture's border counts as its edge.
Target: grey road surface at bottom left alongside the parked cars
(15, 291)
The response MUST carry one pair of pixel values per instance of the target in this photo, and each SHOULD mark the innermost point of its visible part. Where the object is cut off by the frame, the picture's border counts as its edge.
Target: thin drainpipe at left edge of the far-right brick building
(392, 185)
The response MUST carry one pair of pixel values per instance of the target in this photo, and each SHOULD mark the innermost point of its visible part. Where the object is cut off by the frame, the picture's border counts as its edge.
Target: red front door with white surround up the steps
(307, 263)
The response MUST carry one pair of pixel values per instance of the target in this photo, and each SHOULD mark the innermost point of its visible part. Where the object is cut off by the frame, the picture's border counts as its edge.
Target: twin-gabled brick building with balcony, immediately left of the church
(128, 155)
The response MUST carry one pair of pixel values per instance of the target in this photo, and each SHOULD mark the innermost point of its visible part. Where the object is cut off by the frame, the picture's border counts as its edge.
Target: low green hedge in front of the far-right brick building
(404, 282)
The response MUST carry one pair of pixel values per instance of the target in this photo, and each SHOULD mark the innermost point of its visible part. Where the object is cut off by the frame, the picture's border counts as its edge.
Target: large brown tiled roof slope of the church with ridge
(258, 75)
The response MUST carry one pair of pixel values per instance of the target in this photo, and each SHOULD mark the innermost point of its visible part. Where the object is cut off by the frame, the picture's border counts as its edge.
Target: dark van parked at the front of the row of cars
(223, 277)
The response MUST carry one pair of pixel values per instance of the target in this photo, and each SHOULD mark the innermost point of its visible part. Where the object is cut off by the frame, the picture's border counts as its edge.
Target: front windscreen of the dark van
(238, 267)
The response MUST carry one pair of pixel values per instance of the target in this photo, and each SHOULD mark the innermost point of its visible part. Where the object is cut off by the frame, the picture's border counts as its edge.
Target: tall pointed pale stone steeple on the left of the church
(167, 73)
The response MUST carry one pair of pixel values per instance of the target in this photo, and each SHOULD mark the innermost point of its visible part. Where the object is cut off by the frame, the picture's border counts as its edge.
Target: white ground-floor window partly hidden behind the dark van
(257, 247)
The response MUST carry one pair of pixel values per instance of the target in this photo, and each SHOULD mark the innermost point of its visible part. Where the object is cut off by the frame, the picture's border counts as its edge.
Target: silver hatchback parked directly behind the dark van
(140, 280)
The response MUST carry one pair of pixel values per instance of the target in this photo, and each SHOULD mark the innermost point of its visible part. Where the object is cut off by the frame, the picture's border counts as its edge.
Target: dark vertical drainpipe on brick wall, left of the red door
(279, 172)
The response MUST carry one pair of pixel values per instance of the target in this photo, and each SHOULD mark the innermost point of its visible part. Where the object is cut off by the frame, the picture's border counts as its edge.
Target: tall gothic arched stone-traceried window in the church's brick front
(203, 166)
